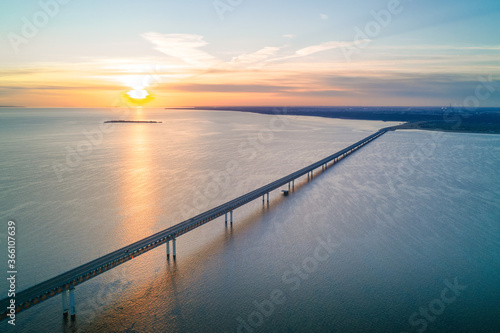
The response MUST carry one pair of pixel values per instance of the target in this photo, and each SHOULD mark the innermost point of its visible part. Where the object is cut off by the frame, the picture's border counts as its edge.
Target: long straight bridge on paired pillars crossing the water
(65, 283)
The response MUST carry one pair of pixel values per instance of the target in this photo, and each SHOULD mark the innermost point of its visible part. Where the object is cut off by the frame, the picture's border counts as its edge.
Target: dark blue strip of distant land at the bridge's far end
(481, 120)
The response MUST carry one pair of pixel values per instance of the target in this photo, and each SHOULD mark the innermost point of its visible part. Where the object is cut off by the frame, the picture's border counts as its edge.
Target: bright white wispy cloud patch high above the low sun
(182, 46)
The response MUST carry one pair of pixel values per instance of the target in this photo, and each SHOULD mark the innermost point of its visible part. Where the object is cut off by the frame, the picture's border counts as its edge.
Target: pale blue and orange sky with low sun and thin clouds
(75, 53)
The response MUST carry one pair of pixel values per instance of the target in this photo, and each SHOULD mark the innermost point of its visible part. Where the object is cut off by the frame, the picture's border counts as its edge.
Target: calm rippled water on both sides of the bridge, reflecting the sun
(406, 217)
